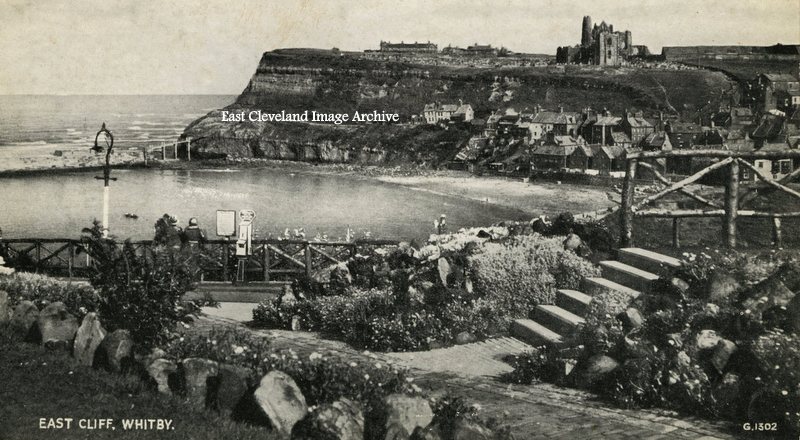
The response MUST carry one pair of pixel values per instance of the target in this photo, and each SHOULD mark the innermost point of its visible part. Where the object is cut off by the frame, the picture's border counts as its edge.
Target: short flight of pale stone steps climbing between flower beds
(632, 273)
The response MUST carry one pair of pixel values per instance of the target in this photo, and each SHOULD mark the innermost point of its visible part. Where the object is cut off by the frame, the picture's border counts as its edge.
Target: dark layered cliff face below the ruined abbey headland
(296, 80)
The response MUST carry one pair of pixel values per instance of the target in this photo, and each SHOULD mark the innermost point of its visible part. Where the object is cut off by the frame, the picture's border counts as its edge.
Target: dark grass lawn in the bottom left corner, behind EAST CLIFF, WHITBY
(36, 384)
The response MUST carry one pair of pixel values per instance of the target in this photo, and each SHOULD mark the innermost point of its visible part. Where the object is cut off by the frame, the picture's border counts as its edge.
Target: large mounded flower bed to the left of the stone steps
(457, 288)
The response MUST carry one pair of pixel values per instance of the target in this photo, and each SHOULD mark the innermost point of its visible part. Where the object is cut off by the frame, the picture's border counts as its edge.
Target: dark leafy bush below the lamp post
(138, 292)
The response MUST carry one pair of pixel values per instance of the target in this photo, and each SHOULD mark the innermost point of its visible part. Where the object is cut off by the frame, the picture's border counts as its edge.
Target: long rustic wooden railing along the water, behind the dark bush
(271, 260)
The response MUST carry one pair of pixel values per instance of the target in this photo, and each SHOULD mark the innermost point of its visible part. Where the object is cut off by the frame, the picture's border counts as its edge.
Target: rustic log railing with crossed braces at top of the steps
(730, 164)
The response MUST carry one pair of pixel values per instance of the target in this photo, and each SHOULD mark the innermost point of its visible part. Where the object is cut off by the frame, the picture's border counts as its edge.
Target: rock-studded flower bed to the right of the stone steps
(721, 339)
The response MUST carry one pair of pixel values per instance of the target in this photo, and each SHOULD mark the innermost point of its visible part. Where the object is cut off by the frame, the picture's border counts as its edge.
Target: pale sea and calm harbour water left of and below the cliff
(60, 205)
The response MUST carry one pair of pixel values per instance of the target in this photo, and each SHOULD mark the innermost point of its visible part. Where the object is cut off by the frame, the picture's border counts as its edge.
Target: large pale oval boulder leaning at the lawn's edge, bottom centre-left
(281, 401)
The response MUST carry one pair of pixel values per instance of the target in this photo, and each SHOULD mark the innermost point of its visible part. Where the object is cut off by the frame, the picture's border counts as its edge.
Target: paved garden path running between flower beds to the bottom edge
(532, 411)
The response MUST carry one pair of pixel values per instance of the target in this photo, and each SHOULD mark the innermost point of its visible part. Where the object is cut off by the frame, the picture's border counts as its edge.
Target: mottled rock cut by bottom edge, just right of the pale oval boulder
(340, 420)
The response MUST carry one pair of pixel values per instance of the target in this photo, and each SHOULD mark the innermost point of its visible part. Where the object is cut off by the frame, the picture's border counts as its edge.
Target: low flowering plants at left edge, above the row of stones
(42, 290)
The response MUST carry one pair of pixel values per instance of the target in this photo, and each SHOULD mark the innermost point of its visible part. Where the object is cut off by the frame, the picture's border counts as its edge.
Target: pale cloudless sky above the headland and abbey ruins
(213, 46)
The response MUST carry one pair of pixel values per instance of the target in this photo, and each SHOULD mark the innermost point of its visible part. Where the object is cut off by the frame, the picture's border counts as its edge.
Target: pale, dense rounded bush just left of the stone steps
(525, 271)
